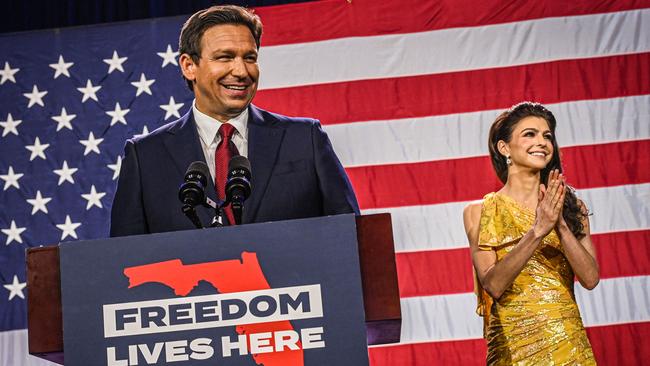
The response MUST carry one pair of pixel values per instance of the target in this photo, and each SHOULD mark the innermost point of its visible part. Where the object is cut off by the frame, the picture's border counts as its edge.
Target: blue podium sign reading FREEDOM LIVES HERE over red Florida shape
(284, 293)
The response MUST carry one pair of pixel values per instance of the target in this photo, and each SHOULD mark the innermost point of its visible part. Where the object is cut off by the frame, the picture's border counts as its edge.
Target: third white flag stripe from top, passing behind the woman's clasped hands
(431, 227)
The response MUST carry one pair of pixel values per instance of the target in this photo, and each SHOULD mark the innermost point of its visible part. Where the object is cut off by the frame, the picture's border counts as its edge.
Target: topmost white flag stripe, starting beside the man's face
(455, 49)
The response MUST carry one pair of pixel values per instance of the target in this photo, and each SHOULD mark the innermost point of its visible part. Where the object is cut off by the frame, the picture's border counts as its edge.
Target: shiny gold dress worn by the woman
(536, 321)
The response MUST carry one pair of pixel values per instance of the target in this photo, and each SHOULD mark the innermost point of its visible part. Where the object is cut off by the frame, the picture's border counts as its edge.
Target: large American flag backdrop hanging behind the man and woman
(406, 91)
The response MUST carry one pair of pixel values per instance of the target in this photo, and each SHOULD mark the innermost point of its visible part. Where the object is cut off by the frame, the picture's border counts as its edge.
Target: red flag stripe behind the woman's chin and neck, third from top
(433, 182)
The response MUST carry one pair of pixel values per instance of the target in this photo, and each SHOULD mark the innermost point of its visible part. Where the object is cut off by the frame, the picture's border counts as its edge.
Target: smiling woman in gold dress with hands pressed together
(528, 241)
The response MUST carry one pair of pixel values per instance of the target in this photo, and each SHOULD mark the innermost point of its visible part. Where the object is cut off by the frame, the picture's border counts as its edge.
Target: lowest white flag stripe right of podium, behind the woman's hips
(453, 317)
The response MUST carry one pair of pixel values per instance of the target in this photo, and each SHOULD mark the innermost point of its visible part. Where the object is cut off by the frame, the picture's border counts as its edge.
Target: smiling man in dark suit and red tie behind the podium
(295, 173)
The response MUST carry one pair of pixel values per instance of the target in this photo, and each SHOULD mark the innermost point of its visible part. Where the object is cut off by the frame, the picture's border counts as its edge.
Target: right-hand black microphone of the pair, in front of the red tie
(238, 185)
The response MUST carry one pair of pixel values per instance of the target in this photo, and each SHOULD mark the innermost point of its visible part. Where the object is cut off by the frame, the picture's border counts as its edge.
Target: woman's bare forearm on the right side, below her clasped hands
(580, 253)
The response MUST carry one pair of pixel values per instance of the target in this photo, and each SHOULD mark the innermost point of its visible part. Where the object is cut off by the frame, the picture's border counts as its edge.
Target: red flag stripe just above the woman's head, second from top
(465, 91)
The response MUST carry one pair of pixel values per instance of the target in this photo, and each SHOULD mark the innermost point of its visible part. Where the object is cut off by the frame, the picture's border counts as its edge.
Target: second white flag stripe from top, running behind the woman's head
(463, 135)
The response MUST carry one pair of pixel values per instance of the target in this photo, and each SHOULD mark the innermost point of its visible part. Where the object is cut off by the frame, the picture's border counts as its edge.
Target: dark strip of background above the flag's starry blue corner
(24, 15)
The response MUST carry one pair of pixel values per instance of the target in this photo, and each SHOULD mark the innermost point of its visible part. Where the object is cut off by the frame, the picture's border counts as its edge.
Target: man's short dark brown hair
(190, 39)
